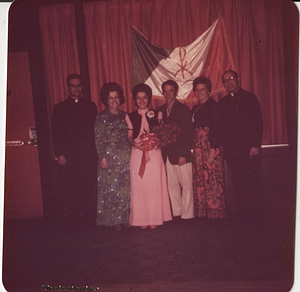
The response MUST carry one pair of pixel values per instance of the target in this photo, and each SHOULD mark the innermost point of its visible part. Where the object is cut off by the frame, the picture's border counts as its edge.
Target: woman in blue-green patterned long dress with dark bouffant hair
(113, 182)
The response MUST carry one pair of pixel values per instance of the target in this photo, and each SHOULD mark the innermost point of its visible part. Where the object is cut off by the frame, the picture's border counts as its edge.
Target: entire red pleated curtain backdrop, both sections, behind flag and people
(254, 32)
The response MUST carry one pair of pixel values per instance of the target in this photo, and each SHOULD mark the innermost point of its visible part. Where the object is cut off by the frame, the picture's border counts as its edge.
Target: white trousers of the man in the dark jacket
(180, 186)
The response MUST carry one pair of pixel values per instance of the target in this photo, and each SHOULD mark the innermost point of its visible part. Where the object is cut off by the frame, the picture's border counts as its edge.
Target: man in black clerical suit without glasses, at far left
(74, 146)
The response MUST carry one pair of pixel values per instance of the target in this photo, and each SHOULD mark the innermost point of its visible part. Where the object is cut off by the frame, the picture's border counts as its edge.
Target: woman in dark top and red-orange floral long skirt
(208, 170)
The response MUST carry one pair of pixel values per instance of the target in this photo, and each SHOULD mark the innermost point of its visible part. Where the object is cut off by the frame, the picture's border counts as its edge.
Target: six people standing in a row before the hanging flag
(183, 179)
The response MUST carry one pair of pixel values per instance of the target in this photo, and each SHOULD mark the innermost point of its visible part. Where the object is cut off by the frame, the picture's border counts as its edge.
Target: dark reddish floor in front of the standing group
(182, 255)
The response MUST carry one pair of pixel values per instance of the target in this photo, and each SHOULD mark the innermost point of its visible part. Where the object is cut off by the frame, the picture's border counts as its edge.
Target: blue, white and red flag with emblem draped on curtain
(208, 55)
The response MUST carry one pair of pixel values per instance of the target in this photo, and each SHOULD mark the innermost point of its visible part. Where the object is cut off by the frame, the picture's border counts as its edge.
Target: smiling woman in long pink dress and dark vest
(150, 205)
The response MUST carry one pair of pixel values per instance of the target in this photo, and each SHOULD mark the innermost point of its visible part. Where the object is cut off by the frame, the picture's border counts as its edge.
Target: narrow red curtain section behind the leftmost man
(58, 30)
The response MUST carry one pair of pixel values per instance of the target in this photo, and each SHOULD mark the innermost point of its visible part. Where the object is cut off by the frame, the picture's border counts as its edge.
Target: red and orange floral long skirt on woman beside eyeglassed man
(208, 180)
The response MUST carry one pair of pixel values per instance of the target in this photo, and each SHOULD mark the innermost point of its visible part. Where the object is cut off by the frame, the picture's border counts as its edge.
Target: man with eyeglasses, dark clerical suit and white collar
(241, 130)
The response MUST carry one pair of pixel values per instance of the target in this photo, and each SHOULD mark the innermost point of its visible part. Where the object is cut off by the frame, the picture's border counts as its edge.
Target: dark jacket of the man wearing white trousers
(181, 116)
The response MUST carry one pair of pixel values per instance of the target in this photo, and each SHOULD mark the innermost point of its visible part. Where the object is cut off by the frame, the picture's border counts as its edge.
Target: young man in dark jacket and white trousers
(177, 156)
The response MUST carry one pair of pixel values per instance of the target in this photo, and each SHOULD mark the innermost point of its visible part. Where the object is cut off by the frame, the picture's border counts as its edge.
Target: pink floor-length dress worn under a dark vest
(150, 203)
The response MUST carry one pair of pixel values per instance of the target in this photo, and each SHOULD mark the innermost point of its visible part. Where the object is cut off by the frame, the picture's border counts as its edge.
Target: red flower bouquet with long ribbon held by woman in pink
(161, 135)
